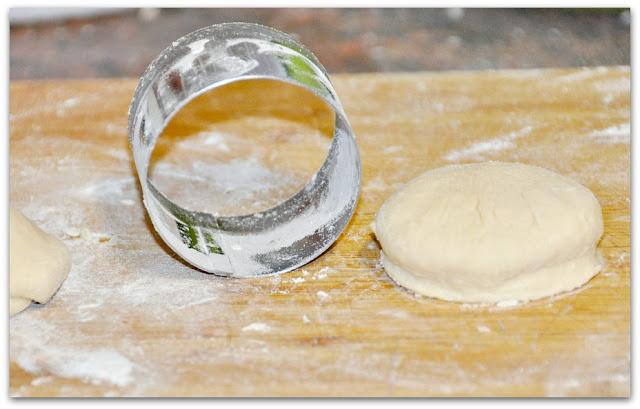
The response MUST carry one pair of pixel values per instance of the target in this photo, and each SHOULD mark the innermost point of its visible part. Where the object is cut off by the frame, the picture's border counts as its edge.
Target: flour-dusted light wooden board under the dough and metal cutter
(133, 320)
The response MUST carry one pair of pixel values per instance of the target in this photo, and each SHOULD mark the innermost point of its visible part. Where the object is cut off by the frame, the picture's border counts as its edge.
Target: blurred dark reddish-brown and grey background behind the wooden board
(122, 42)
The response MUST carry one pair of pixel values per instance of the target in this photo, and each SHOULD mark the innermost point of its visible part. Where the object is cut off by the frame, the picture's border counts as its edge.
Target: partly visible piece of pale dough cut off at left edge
(38, 263)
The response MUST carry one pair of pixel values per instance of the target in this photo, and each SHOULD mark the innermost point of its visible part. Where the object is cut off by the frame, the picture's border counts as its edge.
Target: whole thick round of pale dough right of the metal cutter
(490, 232)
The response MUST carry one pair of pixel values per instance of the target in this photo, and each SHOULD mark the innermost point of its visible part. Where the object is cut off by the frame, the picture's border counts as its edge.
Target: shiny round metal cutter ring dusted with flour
(279, 239)
